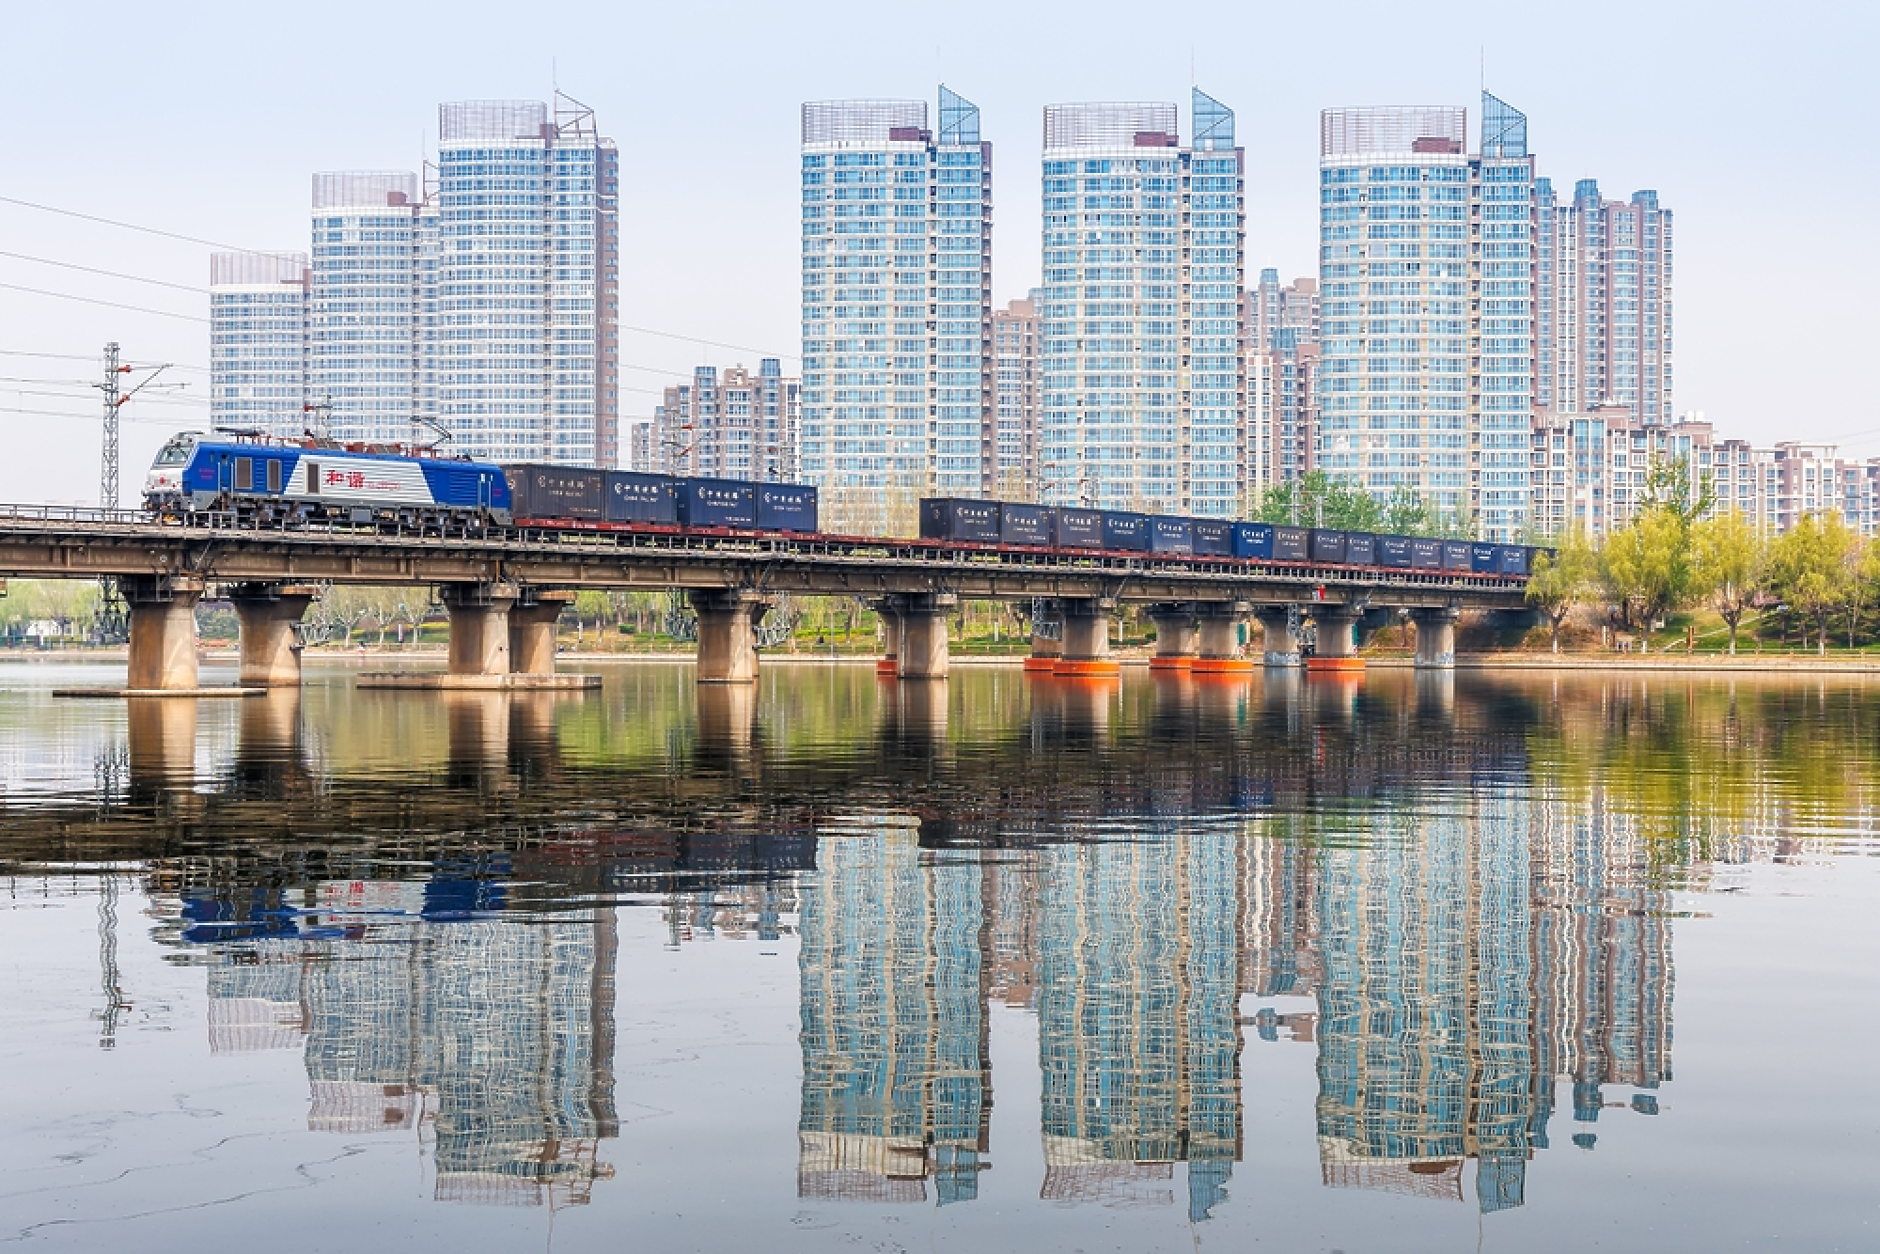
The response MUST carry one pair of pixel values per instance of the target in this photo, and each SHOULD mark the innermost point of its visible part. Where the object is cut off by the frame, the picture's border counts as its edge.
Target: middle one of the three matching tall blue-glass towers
(1140, 309)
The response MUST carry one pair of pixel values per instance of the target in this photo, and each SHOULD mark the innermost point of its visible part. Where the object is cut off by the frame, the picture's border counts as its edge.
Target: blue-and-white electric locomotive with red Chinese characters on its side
(290, 484)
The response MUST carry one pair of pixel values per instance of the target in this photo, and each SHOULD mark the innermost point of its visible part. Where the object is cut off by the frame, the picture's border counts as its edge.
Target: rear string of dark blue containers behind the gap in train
(1120, 531)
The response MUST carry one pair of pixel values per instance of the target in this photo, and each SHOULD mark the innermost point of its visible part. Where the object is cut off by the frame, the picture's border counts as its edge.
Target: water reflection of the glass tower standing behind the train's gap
(896, 1050)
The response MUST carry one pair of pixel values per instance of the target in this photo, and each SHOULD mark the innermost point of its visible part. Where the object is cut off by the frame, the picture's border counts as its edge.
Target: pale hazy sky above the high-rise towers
(1753, 121)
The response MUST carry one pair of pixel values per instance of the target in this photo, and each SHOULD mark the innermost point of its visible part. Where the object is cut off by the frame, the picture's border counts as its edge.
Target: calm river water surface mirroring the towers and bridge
(1005, 964)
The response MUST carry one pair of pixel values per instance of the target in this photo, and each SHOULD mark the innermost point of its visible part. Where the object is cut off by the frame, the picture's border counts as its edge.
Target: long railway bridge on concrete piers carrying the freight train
(505, 591)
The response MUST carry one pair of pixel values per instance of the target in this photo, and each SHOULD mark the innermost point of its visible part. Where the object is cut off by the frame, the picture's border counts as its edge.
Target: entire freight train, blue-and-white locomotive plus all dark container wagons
(258, 482)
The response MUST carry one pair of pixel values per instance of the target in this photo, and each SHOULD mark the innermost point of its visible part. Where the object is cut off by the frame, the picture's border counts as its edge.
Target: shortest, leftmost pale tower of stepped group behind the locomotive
(258, 341)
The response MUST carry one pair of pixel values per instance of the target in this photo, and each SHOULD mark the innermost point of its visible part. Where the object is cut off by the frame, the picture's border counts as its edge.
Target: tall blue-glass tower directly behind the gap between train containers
(898, 302)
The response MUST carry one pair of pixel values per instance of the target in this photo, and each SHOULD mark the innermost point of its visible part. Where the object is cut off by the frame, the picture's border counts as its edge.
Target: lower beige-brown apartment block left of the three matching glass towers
(734, 426)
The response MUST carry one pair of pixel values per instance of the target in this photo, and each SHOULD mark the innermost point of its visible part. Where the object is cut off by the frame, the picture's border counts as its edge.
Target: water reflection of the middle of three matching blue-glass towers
(1138, 1031)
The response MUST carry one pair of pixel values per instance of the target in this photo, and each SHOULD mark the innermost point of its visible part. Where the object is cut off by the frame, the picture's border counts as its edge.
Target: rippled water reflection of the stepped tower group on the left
(492, 1037)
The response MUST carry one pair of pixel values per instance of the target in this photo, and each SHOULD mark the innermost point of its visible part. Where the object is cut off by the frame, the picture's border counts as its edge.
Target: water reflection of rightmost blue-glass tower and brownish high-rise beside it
(1467, 964)
